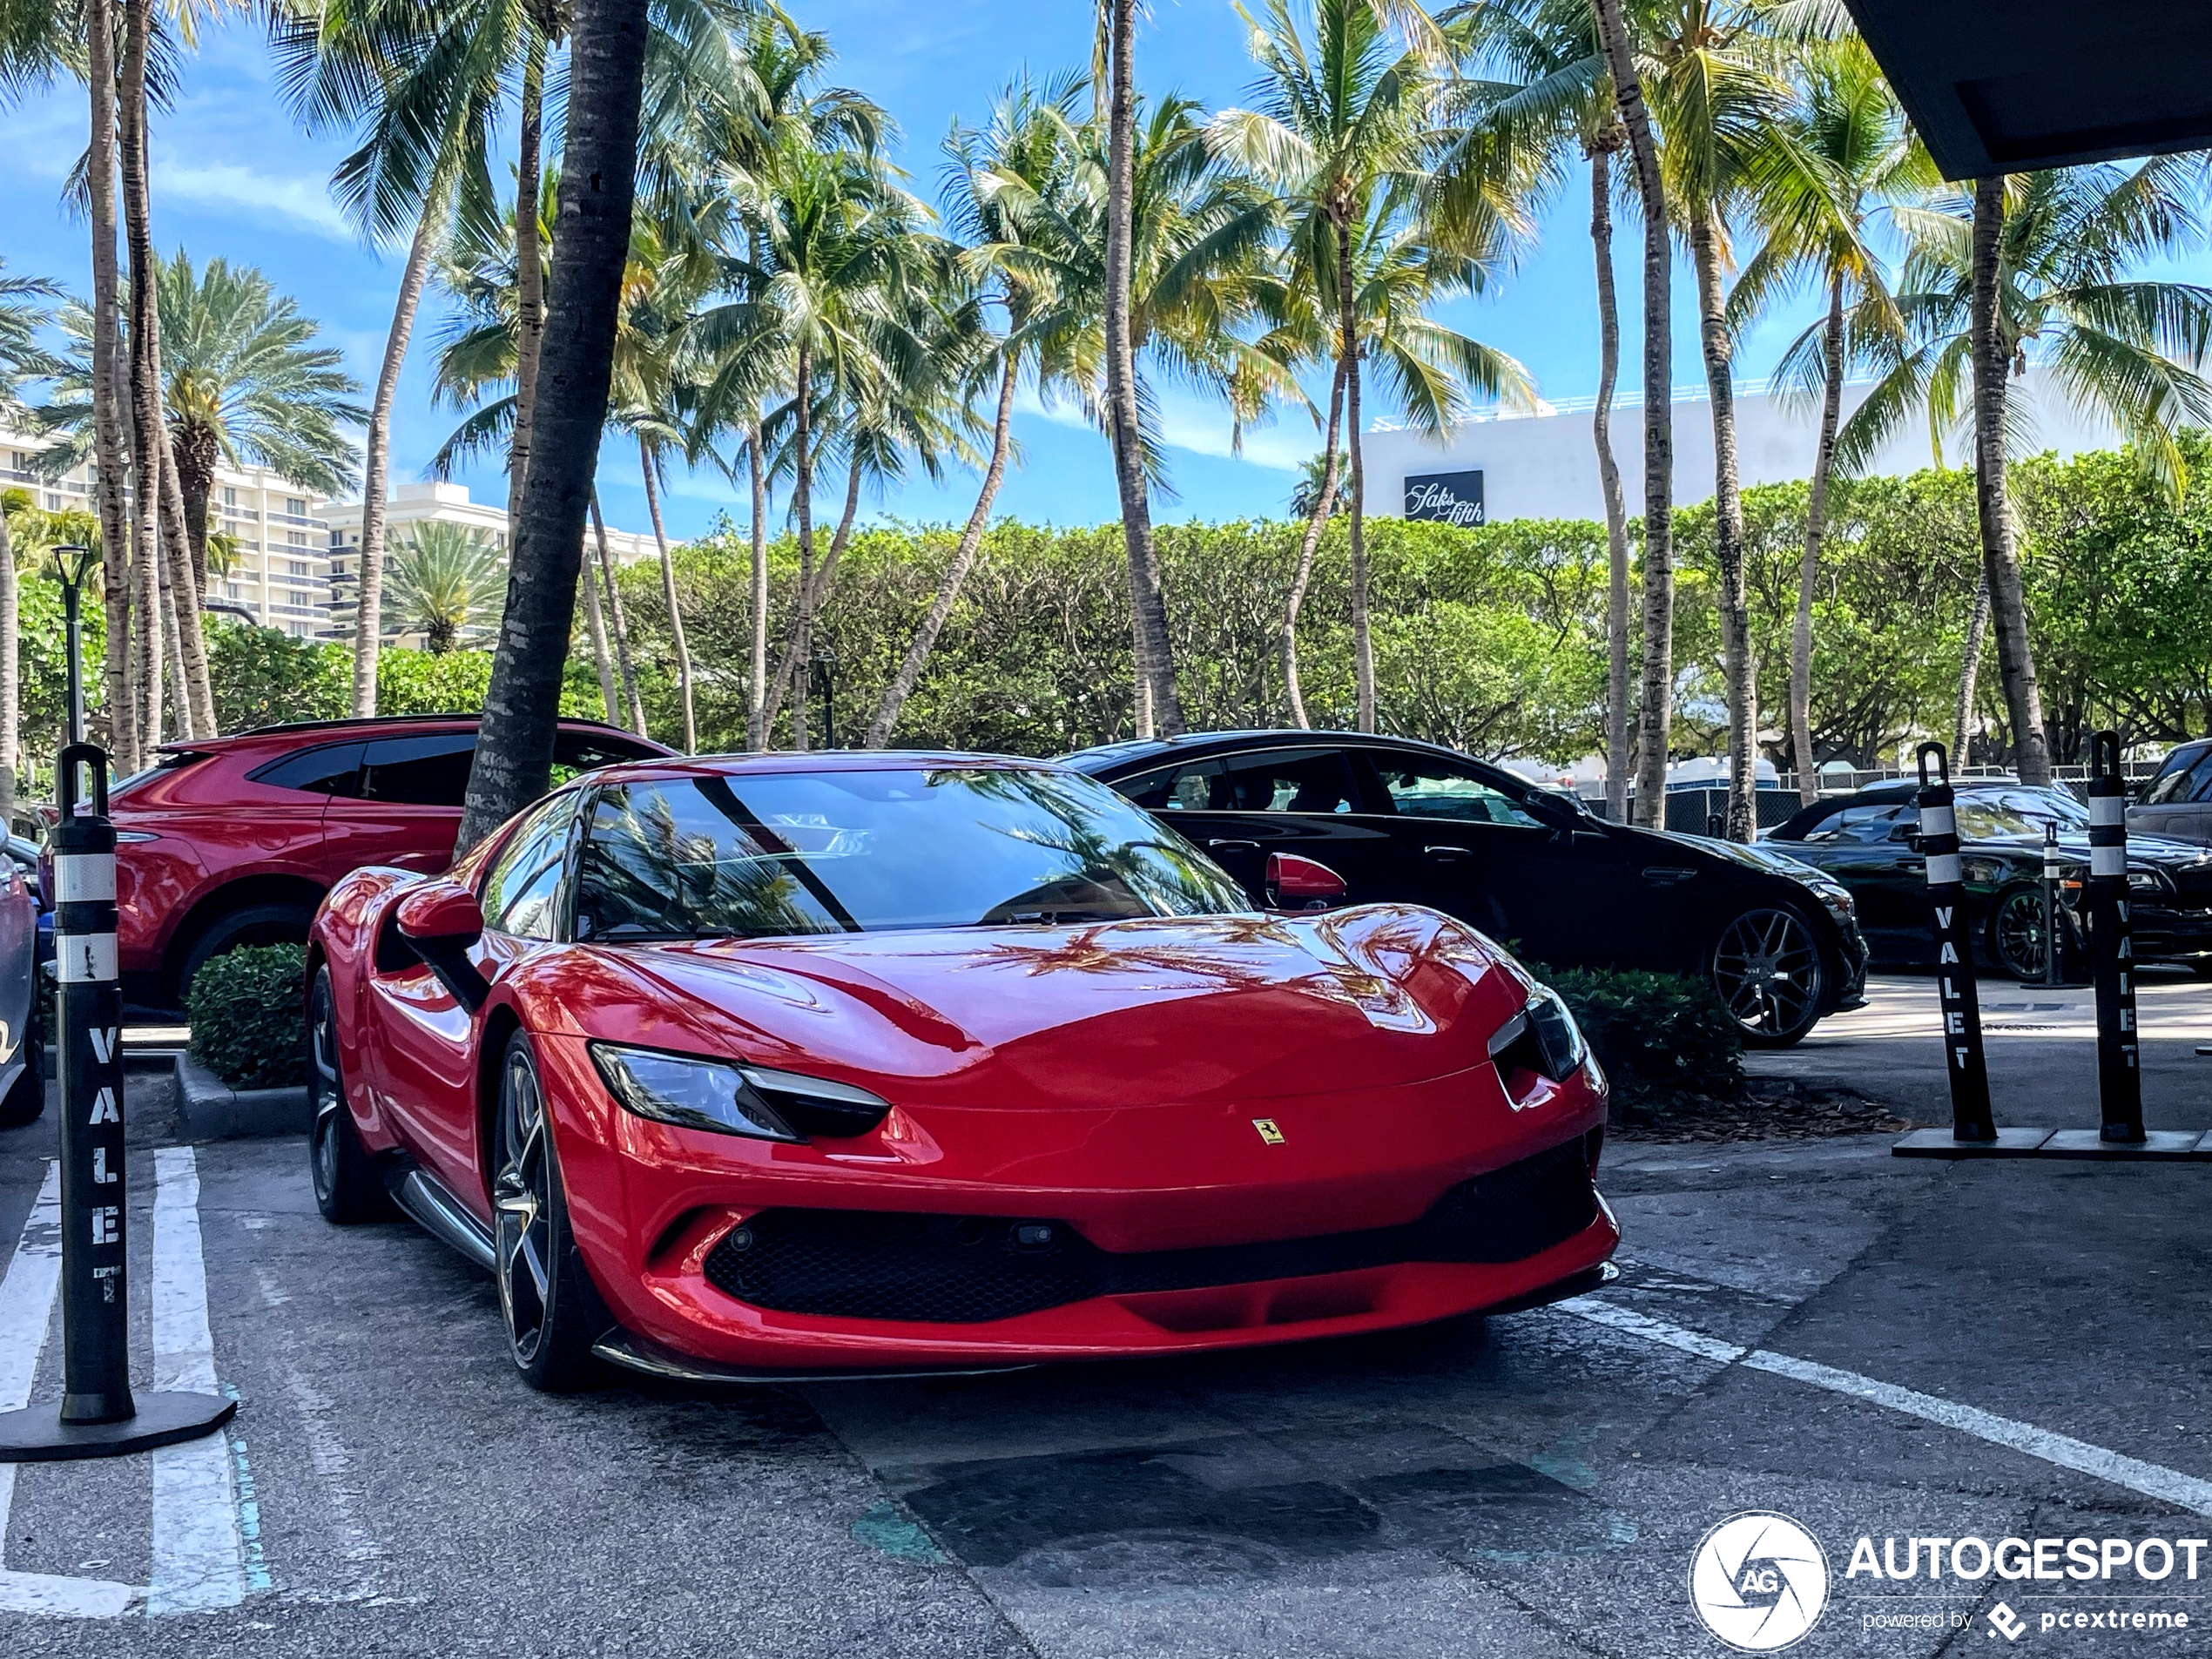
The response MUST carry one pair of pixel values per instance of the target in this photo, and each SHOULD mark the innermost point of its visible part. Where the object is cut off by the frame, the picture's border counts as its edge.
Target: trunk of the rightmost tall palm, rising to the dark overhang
(2001, 563)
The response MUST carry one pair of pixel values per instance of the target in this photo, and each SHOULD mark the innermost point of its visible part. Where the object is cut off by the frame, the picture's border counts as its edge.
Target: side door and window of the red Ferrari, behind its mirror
(426, 1041)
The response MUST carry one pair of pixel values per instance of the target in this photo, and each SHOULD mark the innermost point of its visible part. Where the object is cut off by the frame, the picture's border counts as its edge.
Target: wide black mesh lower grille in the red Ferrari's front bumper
(966, 1271)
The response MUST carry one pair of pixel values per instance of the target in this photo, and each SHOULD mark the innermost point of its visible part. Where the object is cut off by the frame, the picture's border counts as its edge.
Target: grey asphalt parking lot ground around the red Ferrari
(1875, 1348)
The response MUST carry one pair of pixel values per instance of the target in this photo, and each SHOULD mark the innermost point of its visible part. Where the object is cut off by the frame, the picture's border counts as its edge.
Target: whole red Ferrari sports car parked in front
(811, 1065)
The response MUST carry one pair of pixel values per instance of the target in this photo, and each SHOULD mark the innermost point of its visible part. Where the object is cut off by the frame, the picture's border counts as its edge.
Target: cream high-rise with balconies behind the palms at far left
(280, 576)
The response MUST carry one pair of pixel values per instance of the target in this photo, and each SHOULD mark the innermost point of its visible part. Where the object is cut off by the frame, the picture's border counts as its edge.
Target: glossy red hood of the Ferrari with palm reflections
(1171, 1010)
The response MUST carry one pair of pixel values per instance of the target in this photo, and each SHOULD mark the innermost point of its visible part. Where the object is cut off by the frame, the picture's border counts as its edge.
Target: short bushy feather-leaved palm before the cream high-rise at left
(244, 384)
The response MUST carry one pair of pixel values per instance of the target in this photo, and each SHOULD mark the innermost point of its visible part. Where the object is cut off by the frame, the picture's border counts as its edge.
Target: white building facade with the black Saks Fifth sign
(1545, 466)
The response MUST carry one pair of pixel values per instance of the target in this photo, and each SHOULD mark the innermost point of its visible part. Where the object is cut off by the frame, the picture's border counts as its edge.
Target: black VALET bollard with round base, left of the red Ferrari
(98, 1417)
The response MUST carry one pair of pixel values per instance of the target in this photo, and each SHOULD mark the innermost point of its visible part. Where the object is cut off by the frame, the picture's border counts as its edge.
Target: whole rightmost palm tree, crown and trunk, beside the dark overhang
(2038, 267)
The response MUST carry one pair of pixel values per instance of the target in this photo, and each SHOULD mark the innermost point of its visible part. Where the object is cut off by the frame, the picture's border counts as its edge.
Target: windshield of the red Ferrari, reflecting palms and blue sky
(846, 853)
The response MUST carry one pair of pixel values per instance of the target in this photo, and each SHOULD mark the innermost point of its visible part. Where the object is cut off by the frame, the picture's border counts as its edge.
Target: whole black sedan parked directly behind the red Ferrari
(1534, 870)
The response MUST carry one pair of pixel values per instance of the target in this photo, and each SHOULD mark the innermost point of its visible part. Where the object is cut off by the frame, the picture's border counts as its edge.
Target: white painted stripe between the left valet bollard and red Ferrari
(198, 1552)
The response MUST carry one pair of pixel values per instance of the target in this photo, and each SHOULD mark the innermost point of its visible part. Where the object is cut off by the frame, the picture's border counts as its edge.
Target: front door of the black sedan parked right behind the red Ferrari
(1474, 844)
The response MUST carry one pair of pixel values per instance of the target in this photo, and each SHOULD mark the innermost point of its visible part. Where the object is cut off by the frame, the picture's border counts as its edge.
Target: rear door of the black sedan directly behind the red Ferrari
(1304, 800)
